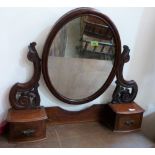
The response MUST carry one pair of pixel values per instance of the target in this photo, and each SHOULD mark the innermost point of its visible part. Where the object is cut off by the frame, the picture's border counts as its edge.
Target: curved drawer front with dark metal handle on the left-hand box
(28, 131)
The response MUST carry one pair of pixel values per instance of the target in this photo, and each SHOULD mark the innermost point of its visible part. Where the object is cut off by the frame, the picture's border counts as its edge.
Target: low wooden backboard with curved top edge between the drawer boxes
(57, 115)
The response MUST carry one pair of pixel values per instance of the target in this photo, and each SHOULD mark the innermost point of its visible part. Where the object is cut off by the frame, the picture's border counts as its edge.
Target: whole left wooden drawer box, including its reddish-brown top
(29, 127)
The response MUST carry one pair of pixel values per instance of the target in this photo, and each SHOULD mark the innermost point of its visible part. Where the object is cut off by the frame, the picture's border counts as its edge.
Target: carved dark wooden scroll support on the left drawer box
(25, 95)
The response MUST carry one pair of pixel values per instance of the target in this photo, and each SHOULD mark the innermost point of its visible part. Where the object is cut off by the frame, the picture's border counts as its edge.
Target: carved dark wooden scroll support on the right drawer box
(125, 91)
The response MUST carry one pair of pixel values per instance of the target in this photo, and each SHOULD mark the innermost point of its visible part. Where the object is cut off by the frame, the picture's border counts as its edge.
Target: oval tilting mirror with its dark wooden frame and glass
(81, 55)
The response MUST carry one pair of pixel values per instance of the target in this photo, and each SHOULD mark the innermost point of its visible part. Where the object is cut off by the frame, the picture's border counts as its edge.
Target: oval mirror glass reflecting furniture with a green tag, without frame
(81, 57)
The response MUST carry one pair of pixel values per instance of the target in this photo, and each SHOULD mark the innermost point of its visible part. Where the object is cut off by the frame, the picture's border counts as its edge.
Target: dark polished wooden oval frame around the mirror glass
(59, 24)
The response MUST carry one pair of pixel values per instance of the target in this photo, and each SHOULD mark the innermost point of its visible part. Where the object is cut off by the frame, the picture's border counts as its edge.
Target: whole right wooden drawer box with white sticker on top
(123, 117)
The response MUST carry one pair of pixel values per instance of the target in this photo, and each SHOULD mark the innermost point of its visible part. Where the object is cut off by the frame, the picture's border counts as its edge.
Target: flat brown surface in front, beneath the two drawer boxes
(84, 135)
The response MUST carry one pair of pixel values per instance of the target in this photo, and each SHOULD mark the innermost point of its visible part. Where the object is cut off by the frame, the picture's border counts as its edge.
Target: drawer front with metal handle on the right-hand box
(128, 122)
